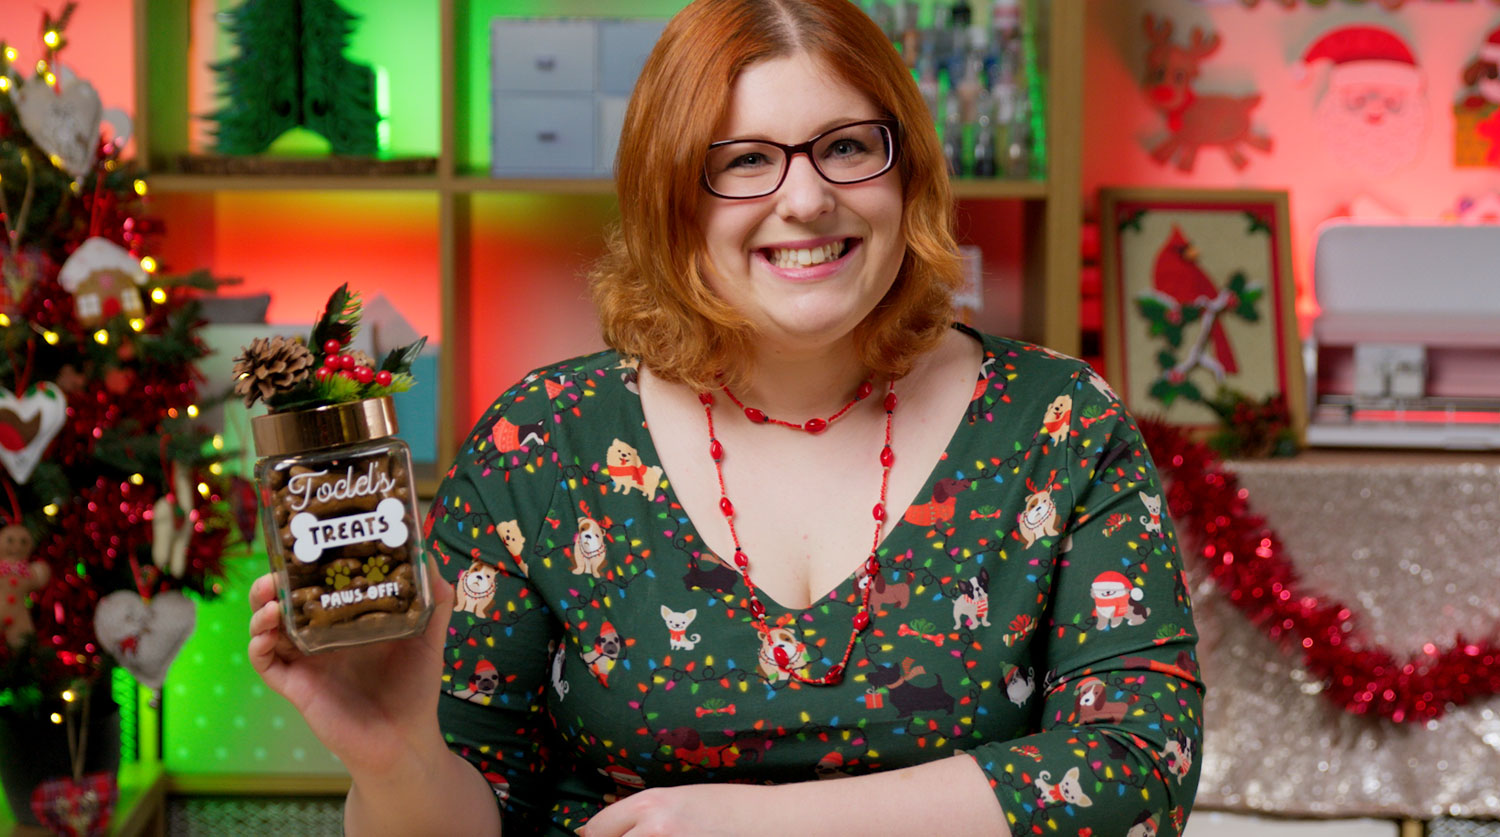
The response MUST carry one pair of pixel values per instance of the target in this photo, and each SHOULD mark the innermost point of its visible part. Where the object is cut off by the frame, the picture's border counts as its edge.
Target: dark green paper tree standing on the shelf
(292, 73)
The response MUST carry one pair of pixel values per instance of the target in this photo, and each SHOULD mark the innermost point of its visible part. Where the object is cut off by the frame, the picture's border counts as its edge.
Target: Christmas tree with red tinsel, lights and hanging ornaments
(110, 493)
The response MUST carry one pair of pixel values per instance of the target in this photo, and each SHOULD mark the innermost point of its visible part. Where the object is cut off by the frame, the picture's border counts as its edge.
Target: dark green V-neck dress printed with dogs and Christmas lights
(1030, 611)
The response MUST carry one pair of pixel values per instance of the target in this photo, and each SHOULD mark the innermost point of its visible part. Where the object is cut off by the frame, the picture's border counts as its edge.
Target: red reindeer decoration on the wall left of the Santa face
(1195, 121)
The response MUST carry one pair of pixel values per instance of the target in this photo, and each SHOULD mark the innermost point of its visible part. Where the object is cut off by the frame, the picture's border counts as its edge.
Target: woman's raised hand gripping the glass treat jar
(370, 704)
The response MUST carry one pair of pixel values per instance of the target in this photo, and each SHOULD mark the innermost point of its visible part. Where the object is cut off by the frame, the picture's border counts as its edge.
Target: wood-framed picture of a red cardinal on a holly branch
(1199, 304)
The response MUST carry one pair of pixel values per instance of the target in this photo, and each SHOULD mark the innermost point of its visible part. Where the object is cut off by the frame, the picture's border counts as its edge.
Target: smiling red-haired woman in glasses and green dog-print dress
(793, 526)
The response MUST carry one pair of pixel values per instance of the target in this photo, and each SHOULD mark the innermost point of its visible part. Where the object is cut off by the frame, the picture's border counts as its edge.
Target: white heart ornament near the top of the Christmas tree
(64, 122)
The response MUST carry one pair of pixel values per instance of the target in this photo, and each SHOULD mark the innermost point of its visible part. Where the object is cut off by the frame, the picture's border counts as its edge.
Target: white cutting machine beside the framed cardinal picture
(1406, 347)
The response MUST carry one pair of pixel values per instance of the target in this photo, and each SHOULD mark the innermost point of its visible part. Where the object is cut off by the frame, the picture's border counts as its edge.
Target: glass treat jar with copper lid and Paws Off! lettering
(341, 524)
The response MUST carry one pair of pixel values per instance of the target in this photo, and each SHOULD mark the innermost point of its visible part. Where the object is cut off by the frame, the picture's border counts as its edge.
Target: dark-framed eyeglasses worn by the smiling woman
(754, 169)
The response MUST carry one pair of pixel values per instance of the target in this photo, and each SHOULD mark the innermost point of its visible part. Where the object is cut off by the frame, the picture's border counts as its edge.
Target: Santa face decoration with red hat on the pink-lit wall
(1373, 113)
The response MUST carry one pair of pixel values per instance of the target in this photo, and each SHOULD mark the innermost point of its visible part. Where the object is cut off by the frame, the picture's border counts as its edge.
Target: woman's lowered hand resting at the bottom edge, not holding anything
(703, 811)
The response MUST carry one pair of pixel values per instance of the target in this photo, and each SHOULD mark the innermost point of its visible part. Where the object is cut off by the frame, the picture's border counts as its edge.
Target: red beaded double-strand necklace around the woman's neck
(872, 566)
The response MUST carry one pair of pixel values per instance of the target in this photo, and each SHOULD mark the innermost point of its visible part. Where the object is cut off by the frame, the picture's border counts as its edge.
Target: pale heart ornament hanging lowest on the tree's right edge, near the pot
(145, 637)
